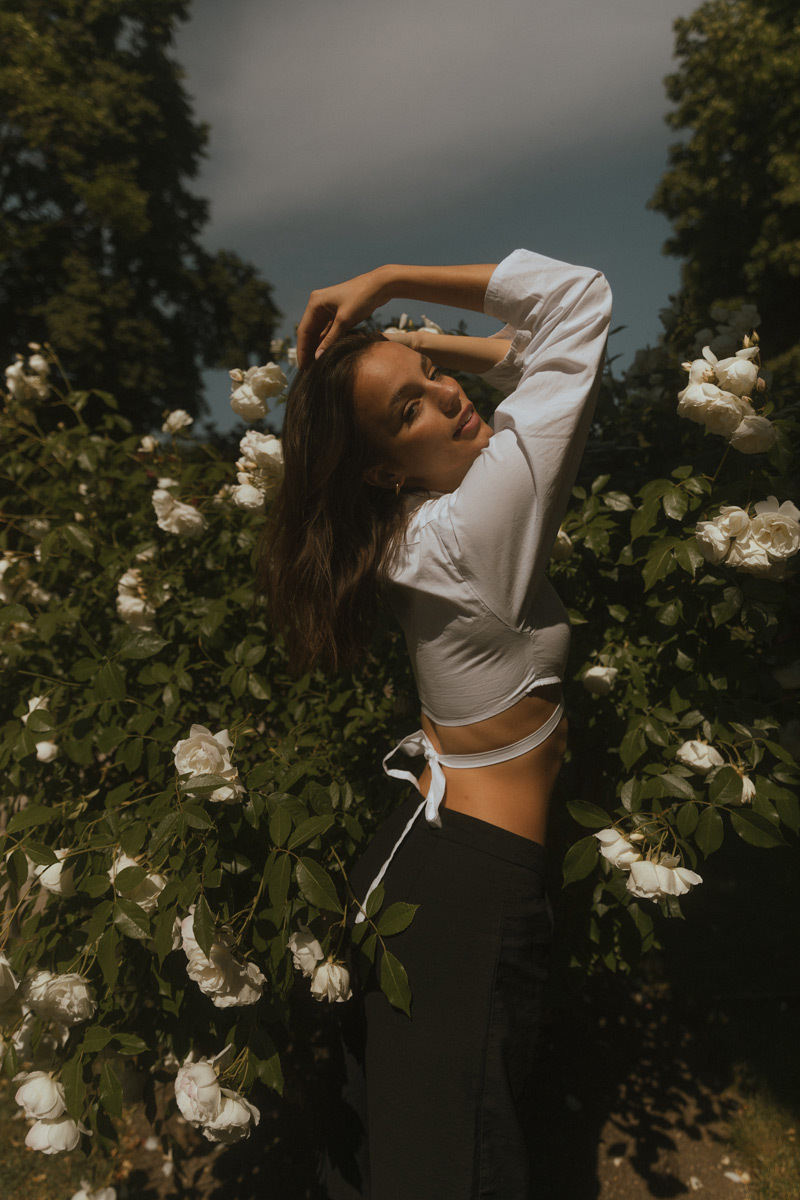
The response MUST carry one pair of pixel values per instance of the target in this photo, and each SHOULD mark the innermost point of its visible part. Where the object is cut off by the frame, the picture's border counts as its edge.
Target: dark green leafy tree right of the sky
(733, 187)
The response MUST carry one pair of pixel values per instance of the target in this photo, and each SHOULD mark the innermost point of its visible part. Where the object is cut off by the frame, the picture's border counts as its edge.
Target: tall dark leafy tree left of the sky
(100, 250)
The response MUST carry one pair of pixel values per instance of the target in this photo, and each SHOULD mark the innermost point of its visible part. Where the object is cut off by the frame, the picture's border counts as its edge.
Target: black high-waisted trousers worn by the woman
(437, 1100)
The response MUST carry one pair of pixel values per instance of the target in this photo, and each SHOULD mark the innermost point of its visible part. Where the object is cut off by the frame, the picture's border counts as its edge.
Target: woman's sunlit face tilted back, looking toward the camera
(424, 430)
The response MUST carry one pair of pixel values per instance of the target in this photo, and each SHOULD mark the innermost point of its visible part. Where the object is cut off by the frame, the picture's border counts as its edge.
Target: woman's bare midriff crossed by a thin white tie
(514, 795)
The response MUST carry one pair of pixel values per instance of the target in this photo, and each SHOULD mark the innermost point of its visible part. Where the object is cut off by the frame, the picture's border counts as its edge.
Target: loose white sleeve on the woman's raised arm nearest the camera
(506, 515)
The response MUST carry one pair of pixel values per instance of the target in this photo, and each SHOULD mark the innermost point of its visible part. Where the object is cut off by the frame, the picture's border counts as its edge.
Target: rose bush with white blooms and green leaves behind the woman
(182, 814)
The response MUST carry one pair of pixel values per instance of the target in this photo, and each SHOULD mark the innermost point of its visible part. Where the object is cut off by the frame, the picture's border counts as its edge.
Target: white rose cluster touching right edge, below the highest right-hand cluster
(759, 545)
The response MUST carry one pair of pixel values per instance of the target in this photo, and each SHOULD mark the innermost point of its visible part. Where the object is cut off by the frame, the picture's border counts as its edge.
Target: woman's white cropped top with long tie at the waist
(483, 625)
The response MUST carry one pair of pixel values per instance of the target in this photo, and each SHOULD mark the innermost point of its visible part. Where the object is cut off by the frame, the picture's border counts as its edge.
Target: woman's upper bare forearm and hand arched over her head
(332, 311)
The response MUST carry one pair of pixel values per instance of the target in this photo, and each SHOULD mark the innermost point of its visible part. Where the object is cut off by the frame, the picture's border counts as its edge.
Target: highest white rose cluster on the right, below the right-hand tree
(718, 397)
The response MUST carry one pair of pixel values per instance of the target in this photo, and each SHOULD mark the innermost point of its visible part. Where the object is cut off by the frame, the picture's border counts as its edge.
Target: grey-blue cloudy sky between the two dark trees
(346, 134)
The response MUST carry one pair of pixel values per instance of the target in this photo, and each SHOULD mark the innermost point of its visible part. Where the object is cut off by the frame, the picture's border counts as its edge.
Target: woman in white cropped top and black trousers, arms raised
(394, 482)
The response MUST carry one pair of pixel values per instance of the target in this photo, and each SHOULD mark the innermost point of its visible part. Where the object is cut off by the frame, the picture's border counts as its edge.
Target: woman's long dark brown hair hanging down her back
(329, 532)
